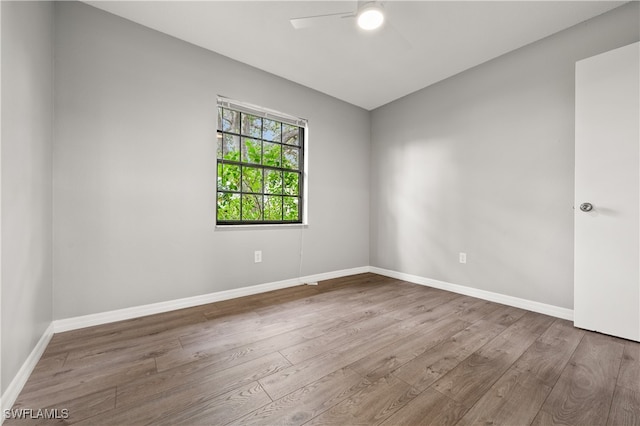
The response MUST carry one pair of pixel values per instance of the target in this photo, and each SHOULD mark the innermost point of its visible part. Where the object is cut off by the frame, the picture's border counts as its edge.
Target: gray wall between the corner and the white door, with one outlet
(483, 163)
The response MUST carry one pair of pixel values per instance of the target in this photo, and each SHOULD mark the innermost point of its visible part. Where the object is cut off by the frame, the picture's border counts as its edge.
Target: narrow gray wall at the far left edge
(27, 117)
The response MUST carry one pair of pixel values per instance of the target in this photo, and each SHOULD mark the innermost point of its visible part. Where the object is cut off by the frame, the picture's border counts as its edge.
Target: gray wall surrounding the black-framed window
(134, 171)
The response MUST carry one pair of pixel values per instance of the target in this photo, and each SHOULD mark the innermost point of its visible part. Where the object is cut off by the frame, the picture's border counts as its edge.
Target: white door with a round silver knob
(607, 238)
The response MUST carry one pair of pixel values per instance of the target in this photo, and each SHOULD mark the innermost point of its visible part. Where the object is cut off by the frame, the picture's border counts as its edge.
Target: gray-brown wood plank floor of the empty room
(364, 349)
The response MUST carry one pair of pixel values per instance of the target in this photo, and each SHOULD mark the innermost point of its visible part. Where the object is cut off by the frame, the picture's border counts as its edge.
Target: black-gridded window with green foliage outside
(260, 166)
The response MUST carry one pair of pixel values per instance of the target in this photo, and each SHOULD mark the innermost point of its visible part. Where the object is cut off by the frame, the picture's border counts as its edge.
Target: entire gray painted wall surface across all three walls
(480, 163)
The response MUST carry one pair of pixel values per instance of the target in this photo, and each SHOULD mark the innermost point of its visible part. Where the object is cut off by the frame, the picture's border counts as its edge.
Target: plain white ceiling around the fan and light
(421, 43)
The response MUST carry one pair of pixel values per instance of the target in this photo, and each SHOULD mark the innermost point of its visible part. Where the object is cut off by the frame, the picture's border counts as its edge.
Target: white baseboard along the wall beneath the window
(74, 323)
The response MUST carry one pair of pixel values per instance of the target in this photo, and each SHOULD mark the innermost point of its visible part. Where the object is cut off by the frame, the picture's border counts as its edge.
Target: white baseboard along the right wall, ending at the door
(542, 308)
